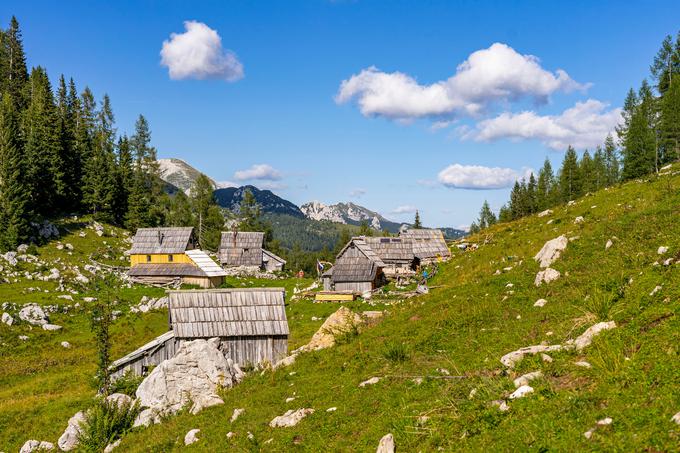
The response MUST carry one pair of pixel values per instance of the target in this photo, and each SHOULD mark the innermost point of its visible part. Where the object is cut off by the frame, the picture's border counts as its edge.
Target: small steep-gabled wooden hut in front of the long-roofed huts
(357, 269)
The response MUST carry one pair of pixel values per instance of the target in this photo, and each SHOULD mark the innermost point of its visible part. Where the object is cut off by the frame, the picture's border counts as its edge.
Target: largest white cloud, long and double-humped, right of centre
(498, 73)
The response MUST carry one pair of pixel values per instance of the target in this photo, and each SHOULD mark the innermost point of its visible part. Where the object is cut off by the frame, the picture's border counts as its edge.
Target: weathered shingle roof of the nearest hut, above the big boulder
(228, 312)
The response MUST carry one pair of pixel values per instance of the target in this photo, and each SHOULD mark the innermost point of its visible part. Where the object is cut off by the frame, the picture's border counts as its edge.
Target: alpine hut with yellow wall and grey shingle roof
(169, 255)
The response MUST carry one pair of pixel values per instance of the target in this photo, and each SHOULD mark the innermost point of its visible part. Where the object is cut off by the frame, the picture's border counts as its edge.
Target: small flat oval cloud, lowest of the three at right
(477, 177)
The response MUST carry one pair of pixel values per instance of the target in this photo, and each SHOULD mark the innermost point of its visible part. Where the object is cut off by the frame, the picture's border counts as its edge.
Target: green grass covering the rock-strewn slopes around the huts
(471, 318)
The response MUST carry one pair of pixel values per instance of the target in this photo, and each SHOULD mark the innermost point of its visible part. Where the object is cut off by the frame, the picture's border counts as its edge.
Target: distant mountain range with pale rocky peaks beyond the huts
(179, 175)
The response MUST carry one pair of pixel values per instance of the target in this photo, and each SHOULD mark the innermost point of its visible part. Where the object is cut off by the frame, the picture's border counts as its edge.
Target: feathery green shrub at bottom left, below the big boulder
(106, 422)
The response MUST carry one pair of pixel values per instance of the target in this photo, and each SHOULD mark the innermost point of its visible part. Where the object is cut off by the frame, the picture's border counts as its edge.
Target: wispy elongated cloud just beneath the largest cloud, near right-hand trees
(583, 126)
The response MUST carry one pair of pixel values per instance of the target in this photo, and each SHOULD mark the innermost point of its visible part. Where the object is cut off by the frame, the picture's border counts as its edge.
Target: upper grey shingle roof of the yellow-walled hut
(148, 241)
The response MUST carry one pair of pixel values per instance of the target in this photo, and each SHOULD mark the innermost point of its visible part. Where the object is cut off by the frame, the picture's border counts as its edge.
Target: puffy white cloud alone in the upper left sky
(198, 54)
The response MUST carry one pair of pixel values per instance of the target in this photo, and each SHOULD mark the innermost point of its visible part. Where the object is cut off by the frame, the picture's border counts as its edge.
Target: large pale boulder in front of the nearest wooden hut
(192, 376)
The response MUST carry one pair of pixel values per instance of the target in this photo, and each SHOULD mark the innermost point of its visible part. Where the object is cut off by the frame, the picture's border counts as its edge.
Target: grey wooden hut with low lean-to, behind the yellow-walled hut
(246, 249)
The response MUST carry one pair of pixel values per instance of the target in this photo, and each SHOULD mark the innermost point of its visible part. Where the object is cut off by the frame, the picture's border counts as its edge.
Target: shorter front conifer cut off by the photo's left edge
(13, 187)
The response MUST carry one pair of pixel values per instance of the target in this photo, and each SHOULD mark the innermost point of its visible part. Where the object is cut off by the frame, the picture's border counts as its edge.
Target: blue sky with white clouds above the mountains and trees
(409, 128)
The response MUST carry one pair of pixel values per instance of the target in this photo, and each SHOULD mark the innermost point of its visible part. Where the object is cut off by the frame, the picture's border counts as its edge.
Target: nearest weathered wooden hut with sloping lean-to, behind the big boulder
(250, 323)
